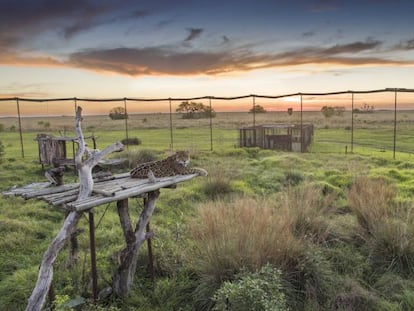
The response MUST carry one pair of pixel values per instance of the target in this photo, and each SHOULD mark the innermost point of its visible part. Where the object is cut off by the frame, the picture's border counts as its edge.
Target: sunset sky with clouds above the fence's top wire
(184, 48)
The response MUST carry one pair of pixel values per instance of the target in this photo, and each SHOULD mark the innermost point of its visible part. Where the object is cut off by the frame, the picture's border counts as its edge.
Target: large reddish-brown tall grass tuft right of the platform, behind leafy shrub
(243, 233)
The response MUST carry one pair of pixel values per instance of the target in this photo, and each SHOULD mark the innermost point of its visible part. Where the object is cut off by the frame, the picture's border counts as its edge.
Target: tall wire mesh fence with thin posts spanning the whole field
(348, 121)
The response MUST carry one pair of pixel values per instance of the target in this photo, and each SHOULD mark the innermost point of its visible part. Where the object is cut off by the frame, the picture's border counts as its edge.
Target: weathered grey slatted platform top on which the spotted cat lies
(106, 190)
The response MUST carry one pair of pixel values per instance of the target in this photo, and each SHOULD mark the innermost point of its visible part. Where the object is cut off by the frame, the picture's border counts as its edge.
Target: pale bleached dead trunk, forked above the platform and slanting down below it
(45, 276)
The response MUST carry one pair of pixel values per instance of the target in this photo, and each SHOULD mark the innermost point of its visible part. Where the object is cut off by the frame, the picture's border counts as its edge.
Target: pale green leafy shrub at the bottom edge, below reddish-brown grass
(259, 290)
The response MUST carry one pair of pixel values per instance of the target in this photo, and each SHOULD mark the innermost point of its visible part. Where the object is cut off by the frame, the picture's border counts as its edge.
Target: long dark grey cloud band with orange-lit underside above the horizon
(169, 61)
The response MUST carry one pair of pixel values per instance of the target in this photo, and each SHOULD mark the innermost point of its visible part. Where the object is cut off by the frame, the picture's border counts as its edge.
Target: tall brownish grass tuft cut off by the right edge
(386, 226)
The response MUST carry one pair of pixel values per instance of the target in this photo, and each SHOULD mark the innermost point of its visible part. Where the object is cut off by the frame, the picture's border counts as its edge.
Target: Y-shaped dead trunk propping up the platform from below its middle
(124, 276)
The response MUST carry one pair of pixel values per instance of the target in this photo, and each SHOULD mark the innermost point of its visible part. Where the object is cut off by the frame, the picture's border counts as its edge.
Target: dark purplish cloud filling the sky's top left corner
(22, 20)
